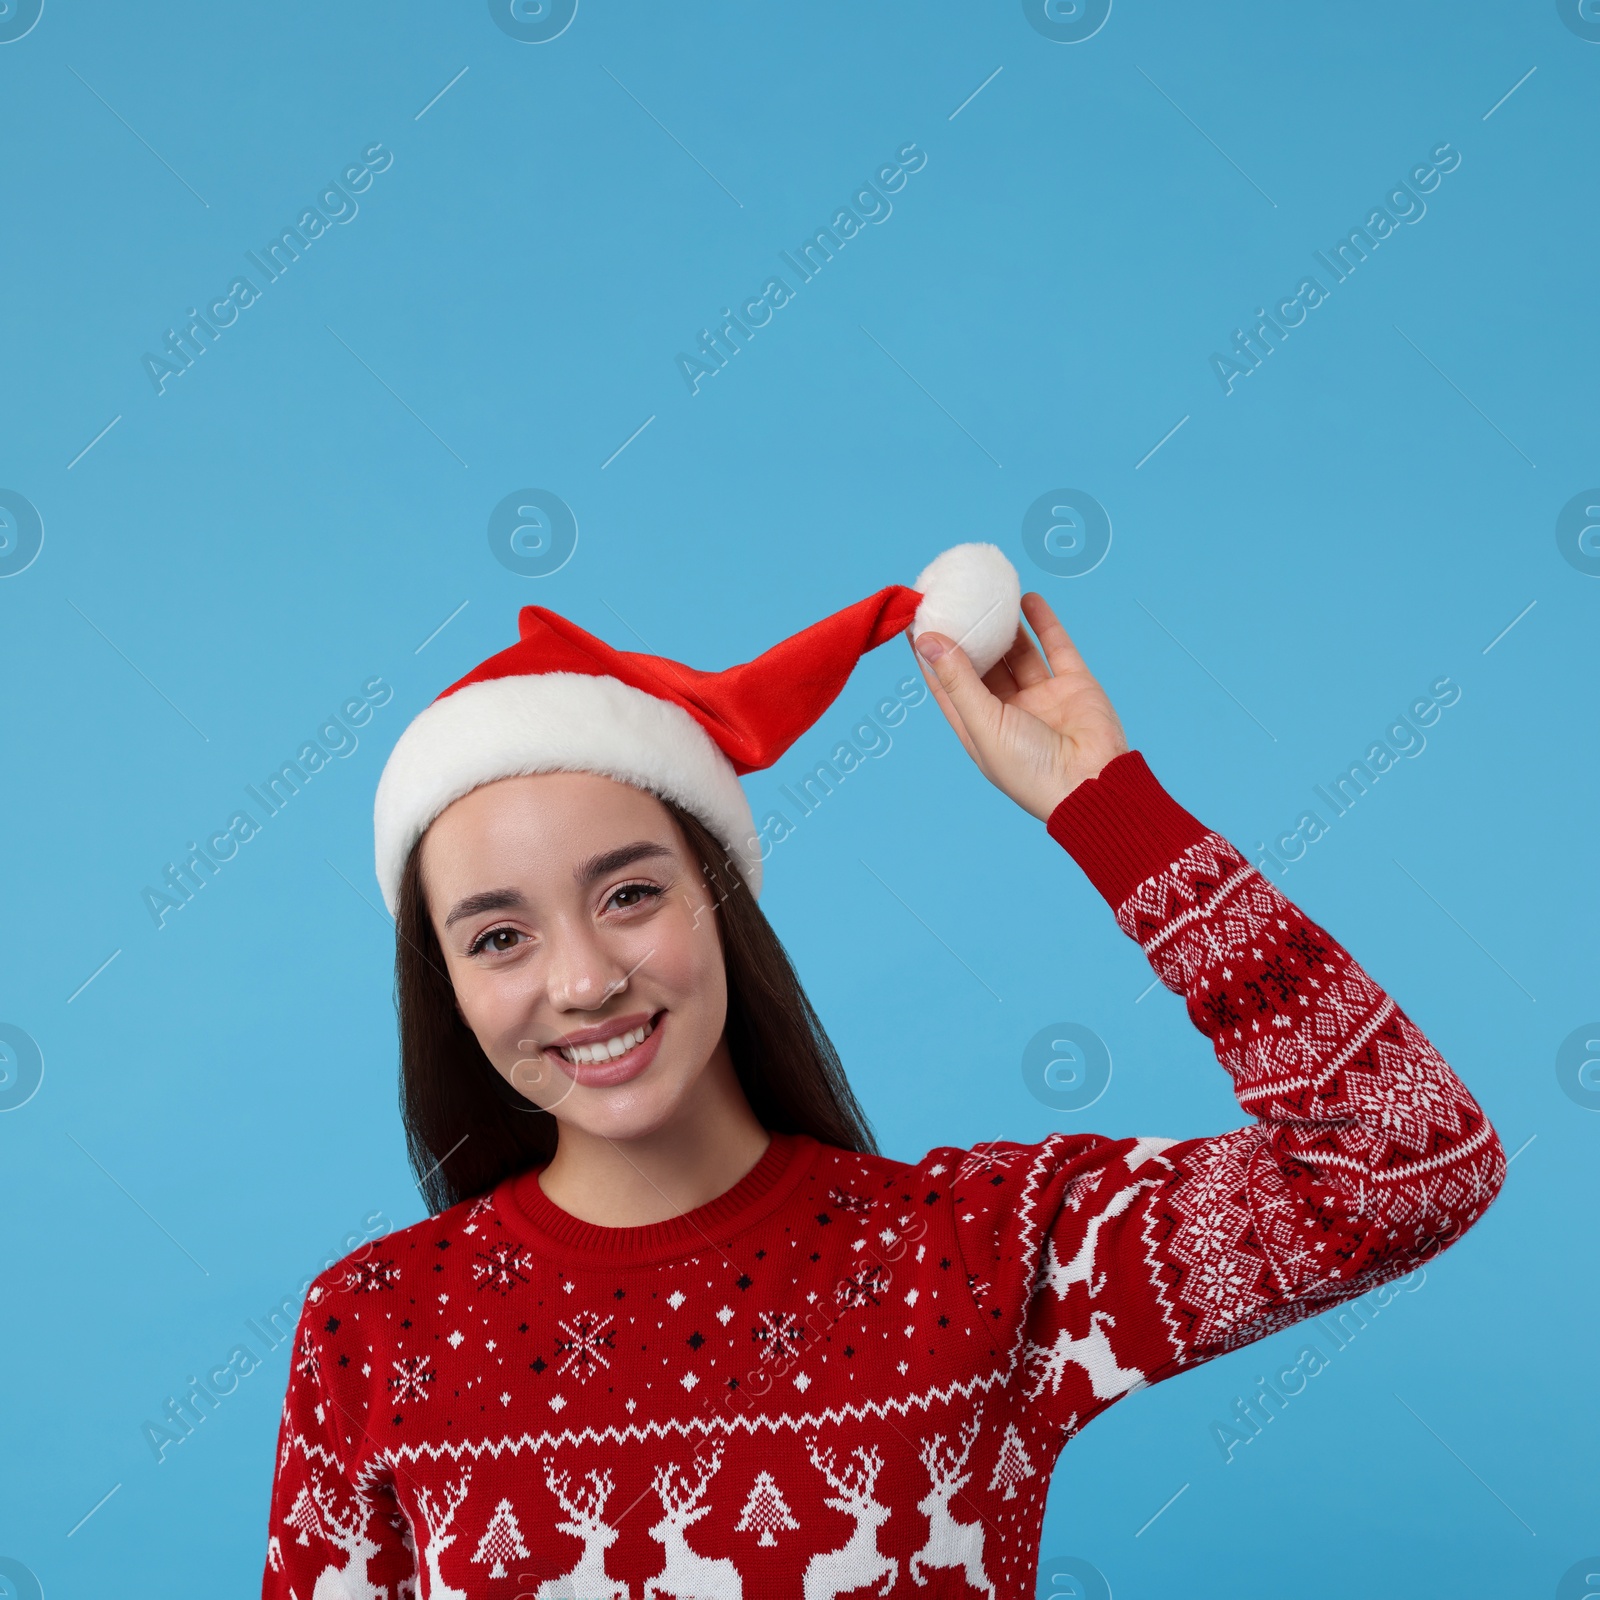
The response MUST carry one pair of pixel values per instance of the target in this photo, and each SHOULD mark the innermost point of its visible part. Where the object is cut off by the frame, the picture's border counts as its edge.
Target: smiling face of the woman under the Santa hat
(582, 940)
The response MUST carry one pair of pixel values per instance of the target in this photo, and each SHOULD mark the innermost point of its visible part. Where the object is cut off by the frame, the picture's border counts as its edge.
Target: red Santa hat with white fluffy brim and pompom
(561, 700)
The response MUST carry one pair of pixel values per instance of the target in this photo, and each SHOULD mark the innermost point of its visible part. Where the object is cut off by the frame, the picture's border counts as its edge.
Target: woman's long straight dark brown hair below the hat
(468, 1129)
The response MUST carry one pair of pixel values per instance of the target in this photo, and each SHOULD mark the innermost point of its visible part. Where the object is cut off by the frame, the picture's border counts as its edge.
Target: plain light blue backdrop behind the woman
(239, 554)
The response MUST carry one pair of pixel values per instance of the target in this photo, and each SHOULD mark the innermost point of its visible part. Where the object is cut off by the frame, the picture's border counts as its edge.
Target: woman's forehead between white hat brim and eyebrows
(526, 830)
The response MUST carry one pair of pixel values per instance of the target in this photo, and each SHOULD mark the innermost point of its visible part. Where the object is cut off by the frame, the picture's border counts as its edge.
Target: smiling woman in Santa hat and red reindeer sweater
(676, 1327)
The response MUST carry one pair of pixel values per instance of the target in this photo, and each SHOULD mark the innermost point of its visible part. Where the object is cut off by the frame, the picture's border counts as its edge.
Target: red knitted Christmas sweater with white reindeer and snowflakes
(854, 1372)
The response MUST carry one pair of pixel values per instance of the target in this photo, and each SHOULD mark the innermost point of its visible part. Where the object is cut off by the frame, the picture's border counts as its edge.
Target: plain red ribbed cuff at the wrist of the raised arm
(1122, 828)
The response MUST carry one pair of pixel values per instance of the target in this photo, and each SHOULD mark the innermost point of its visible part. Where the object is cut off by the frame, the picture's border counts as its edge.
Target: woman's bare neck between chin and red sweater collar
(702, 1153)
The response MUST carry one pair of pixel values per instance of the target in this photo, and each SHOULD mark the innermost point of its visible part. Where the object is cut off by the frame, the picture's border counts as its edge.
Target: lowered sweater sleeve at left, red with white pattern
(324, 1521)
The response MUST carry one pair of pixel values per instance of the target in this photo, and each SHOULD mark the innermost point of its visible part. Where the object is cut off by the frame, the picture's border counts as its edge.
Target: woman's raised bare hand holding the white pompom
(1034, 730)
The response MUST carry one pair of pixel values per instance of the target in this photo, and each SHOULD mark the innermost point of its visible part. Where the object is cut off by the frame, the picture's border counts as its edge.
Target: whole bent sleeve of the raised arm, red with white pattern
(1116, 1263)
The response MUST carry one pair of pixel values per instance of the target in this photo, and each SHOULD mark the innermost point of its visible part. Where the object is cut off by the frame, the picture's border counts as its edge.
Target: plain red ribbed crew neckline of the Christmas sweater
(526, 1209)
